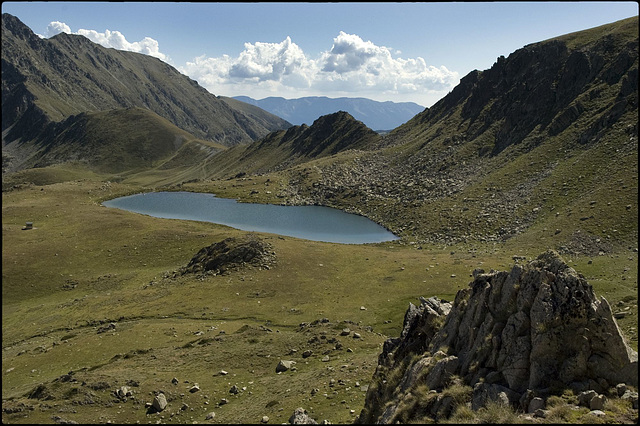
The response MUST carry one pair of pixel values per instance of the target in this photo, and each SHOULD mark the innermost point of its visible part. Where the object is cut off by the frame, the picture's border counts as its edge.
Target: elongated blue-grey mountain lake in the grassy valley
(316, 223)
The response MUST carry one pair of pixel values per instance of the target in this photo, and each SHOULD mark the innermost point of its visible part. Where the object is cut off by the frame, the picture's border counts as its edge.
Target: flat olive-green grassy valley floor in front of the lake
(90, 304)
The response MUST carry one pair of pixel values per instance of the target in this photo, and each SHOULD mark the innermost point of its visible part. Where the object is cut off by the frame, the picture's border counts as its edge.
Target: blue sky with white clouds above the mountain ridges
(400, 52)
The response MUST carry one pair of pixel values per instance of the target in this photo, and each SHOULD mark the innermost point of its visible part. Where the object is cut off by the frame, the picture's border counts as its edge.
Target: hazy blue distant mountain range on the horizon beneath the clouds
(375, 115)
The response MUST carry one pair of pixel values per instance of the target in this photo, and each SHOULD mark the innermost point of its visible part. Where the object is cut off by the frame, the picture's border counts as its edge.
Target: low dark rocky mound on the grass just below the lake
(231, 253)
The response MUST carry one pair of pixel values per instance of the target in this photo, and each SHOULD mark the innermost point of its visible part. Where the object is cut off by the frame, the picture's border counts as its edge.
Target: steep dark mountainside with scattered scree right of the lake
(545, 140)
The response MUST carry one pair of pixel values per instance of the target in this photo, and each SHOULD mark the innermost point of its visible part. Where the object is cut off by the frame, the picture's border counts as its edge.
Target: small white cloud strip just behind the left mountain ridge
(111, 39)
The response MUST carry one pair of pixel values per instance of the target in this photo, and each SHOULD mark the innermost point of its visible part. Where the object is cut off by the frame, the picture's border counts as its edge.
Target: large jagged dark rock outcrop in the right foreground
(535, 330)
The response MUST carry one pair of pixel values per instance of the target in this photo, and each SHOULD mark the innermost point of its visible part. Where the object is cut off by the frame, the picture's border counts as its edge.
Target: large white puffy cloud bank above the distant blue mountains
(352, 67)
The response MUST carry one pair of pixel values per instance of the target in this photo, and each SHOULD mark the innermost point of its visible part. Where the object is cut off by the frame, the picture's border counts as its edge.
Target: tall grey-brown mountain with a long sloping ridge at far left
(48, 80)
